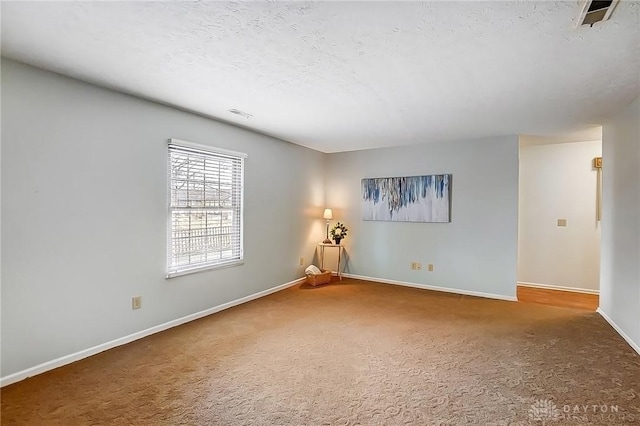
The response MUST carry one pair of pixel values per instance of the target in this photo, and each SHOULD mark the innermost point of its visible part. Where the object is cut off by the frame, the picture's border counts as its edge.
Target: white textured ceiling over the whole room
(339, 76)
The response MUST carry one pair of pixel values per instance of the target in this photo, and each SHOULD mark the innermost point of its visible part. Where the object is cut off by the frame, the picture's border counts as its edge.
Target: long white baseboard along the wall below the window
(68, 359)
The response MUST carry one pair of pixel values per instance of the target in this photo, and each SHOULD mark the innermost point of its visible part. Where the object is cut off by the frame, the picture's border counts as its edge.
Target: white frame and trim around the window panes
(174, 270)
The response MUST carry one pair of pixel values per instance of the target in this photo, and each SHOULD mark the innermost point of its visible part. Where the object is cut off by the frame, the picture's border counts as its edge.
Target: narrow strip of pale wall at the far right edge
(620, 268)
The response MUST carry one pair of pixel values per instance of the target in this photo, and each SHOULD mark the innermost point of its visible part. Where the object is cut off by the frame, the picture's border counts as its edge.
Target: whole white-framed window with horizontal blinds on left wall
(205, 208)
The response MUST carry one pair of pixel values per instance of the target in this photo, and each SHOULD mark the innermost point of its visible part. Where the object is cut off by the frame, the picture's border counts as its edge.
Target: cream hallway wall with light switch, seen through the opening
(558, 181)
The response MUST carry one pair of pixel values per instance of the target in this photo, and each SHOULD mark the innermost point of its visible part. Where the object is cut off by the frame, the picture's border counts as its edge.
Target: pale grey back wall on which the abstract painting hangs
(476, 252)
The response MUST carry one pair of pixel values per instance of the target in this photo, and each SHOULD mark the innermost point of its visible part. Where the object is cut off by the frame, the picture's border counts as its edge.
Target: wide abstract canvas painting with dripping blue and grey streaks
(407, 199)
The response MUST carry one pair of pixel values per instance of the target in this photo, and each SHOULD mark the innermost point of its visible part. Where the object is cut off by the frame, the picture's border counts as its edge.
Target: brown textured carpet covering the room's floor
(351, 353)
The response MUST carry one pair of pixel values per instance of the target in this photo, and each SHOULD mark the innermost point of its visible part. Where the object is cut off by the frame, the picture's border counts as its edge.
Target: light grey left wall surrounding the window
(84, 215)
